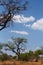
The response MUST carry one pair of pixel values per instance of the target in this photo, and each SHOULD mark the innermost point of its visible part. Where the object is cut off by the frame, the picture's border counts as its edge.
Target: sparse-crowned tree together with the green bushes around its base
(17, 46)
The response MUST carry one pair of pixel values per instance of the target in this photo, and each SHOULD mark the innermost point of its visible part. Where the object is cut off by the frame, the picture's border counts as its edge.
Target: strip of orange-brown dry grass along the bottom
(12, 62)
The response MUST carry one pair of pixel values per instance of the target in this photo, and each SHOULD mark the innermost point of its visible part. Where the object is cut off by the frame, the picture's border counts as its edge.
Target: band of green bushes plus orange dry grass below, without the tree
(28, 58)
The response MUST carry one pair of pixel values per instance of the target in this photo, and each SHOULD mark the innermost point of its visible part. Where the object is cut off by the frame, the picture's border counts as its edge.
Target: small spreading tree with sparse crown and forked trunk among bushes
(16, 45)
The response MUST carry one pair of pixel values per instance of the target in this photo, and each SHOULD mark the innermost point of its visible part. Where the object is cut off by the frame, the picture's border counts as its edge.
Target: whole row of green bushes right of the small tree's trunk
(31, 55)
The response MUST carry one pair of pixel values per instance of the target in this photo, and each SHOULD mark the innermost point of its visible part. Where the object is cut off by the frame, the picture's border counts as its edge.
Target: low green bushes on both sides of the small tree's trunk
(29, 56)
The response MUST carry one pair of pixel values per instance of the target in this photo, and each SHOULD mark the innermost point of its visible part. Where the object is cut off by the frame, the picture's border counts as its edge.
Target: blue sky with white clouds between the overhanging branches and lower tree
(28, 25)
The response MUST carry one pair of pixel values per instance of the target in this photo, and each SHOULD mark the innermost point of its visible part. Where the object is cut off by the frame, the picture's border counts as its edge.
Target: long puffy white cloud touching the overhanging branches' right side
(22, 19)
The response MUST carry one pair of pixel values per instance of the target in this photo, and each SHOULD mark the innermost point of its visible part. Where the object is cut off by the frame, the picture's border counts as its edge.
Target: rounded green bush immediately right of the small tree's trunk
(27, 56)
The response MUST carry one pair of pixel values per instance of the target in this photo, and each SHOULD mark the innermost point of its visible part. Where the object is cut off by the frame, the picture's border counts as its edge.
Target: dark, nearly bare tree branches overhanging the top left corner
(10, 8)
